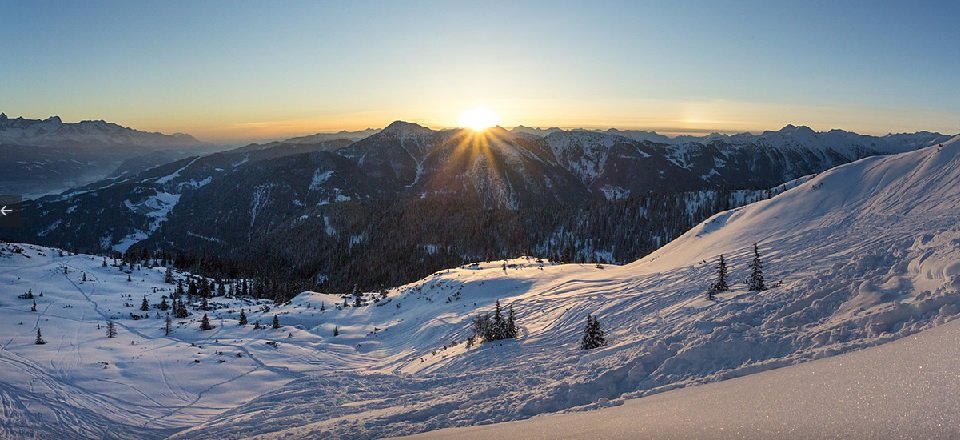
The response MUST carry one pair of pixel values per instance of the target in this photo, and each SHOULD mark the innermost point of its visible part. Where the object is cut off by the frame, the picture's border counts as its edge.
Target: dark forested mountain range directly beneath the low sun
(407, 200)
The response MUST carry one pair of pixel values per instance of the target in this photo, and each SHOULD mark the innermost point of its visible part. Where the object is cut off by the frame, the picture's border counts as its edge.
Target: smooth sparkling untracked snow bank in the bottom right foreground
(905, 389)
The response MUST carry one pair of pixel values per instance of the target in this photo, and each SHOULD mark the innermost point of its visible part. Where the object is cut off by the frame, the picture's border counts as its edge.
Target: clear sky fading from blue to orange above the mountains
(233, 71)
